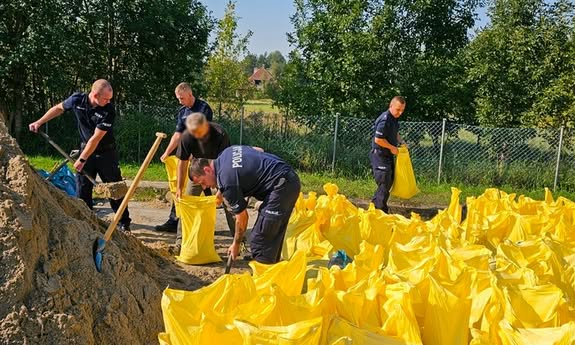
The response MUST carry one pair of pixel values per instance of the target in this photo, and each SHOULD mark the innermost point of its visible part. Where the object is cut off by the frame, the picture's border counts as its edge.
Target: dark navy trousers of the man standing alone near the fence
(383, 168)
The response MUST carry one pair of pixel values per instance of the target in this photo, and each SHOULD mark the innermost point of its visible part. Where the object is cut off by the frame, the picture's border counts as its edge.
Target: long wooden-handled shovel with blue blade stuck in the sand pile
(100, 243)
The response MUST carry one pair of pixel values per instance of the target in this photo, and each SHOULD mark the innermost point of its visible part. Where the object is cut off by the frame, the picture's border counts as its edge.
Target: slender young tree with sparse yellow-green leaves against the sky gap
(225, 75)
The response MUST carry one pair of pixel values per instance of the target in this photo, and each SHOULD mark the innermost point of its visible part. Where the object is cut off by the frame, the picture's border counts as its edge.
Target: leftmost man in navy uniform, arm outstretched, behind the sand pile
(95, 116)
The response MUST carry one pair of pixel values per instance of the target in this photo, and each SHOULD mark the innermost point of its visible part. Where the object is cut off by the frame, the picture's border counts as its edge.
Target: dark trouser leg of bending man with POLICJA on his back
(267, 236)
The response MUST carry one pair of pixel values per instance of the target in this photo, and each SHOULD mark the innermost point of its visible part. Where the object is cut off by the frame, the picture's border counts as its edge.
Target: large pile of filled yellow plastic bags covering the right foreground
(503, 276)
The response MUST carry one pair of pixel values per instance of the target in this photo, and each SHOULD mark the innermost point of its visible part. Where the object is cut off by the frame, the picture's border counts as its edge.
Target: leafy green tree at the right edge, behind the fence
(522, 64)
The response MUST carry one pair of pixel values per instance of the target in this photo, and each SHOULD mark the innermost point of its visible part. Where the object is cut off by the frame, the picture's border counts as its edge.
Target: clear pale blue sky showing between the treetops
(269, 20)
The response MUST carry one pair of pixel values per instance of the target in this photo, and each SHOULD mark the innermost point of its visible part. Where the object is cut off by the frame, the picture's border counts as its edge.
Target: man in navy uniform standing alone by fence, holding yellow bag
(384, 148)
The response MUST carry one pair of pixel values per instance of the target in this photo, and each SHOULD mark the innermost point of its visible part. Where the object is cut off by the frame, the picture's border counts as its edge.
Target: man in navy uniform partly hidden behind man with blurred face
(190, 104)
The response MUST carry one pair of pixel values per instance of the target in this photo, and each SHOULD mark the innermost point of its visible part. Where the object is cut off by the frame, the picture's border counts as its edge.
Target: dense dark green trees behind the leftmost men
(49, 49)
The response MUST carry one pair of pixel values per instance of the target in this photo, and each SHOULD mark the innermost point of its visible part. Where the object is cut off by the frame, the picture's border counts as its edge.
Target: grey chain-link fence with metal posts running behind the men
(440, 151)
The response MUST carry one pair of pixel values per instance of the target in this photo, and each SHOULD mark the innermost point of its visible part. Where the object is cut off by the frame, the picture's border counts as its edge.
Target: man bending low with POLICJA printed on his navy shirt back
(242, 171)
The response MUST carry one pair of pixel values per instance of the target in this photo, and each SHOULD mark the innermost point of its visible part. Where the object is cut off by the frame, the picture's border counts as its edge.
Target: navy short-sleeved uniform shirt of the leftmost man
(89, 118)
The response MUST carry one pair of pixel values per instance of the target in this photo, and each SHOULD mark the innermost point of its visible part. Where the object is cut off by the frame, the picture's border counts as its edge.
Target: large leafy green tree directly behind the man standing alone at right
(352, 56)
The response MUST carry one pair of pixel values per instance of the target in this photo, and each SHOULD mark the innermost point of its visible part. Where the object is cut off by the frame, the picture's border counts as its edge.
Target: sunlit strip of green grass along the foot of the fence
(432, 194)
